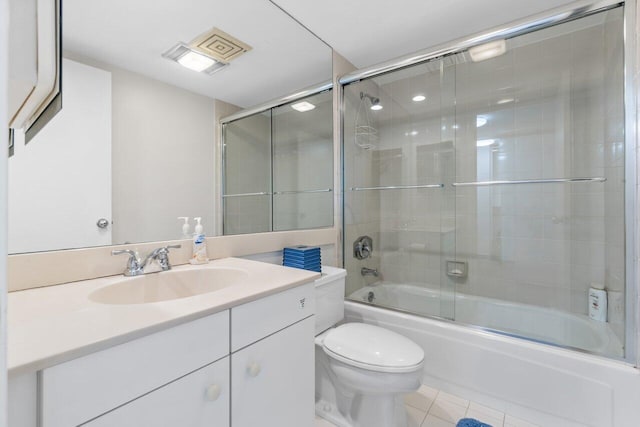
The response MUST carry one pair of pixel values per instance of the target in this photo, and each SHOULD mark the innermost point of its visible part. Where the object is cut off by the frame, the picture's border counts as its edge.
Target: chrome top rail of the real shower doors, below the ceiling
(522, 26)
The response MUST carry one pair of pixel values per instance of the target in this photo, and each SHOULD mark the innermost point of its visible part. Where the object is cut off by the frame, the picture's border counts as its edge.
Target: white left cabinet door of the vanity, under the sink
(200, 399)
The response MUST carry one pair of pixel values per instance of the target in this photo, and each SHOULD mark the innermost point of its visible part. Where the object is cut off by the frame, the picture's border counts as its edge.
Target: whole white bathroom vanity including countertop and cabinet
(241, 355)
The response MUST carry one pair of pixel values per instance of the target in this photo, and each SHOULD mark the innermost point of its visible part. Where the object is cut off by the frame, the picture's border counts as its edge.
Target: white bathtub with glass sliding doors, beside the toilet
(546, 385)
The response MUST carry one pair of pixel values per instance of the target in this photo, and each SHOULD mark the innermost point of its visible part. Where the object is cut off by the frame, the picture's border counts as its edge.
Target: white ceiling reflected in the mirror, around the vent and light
(133, 35)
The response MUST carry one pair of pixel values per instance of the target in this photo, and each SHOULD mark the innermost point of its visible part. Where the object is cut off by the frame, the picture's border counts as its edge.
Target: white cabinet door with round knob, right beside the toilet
(273, 379)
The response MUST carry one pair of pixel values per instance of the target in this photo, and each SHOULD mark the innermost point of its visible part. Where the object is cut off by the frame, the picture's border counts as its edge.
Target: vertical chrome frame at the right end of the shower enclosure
(631, 71)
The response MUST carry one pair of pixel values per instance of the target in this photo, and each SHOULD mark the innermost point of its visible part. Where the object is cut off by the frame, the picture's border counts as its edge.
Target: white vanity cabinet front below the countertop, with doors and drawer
(249, 365)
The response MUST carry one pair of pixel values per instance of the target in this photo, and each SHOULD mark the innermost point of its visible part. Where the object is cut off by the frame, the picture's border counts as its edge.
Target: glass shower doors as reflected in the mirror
(278, 168)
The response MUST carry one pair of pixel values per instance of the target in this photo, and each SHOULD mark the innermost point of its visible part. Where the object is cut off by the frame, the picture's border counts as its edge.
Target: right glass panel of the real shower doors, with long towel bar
(540, 184)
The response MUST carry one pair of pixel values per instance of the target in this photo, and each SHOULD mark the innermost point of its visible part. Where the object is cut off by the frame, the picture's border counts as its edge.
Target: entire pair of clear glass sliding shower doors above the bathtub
(492, 186)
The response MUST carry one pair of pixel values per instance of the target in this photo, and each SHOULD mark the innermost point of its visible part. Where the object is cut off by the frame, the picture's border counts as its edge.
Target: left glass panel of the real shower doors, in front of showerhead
(399, 163)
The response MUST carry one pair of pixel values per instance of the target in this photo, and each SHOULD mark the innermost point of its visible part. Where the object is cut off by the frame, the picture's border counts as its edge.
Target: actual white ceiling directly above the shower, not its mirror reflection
(367, 32)
